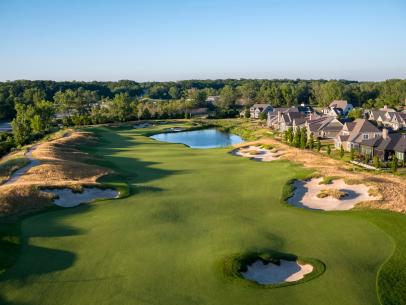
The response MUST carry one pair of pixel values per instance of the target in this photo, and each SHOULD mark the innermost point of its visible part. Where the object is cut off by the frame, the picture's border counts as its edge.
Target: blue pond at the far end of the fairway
(205, 138)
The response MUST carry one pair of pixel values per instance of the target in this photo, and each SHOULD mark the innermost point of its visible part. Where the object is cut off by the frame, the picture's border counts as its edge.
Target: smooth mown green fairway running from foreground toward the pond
(187, 213)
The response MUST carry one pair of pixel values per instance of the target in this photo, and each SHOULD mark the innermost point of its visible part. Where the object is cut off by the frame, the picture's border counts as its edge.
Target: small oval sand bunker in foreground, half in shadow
(270, 273)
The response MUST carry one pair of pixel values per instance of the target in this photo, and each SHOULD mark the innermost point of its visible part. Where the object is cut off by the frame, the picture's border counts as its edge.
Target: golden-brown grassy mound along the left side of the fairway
(57, 163)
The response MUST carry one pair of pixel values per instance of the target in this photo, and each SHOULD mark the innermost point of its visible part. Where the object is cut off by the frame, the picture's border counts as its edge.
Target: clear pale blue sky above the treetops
(179, 39)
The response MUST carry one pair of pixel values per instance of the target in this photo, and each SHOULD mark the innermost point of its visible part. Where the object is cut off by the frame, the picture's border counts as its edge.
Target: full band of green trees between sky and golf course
(35, 107)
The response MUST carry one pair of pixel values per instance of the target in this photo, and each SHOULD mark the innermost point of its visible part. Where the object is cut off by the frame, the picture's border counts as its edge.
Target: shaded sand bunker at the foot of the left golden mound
(67, 198)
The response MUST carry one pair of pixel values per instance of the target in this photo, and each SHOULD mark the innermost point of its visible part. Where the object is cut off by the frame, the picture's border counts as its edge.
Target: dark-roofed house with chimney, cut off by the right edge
(386, 146)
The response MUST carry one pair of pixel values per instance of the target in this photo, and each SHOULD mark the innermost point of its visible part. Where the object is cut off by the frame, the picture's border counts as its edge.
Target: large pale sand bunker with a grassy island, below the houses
(307, 194)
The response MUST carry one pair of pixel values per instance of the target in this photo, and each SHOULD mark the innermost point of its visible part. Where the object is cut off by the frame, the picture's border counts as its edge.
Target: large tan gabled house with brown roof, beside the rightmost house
(353, 133)
